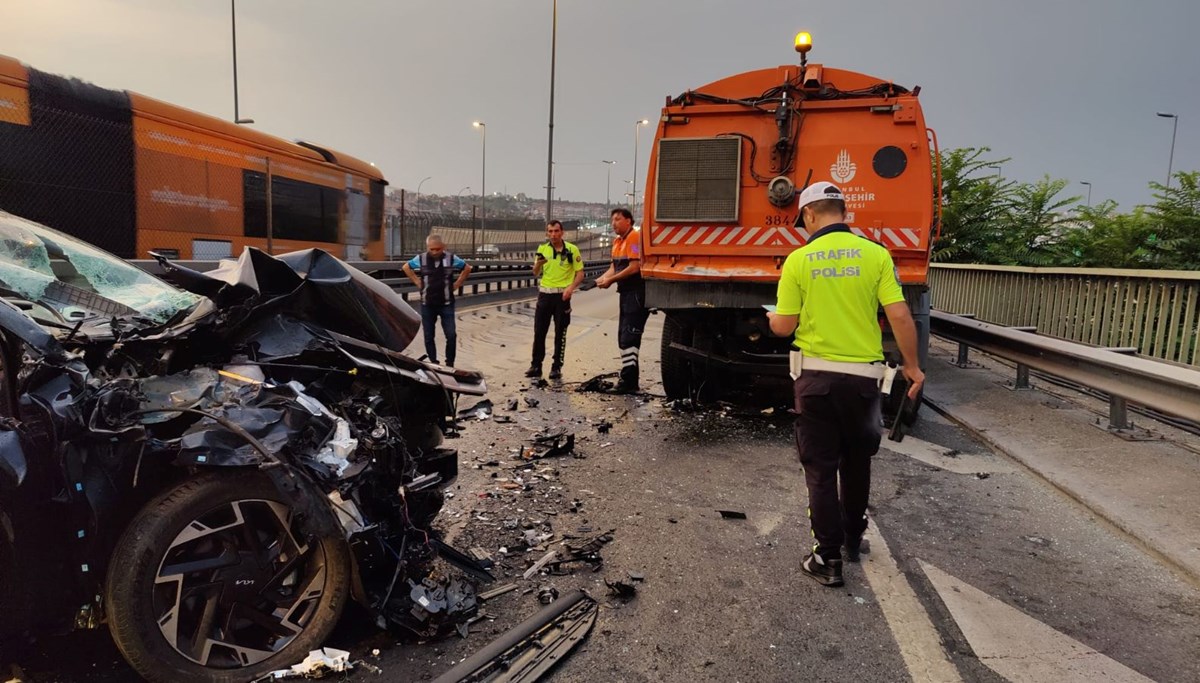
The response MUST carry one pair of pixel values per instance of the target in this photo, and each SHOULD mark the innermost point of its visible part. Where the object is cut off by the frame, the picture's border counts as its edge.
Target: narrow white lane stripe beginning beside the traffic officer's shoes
(911, 627)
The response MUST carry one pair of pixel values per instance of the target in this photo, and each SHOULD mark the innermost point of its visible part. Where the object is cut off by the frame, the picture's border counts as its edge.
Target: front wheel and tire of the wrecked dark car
(202, 566)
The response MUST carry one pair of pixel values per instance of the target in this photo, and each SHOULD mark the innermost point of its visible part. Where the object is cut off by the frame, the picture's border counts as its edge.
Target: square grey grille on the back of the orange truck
(698, 179)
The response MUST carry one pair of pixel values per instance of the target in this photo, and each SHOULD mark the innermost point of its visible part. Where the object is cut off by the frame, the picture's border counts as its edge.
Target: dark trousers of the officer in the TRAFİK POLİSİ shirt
(837, 434)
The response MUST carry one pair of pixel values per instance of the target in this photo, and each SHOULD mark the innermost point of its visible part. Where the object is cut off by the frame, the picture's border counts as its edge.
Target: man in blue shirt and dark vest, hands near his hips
(434, 273)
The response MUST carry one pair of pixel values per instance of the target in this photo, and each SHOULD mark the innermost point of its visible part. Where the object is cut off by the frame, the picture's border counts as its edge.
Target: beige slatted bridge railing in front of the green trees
(1155, 311)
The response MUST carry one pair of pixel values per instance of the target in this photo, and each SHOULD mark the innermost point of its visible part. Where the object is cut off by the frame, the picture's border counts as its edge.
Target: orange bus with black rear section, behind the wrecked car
(133, 175)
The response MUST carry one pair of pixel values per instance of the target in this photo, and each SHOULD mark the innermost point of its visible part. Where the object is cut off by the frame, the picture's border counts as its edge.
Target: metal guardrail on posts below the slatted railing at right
(1168, 388)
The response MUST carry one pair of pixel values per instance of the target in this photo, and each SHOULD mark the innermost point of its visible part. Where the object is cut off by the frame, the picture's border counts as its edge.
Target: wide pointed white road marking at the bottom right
(1017, 646)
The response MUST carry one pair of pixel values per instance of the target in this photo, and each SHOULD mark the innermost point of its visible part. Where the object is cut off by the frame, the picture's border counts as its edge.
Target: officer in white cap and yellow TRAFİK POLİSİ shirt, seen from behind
(830, 295)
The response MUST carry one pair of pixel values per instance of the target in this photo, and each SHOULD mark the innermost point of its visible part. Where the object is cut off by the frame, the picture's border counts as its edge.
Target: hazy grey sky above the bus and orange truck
(1064, 87)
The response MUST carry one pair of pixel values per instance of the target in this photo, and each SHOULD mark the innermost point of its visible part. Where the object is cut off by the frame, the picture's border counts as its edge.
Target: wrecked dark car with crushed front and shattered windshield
(214, 466)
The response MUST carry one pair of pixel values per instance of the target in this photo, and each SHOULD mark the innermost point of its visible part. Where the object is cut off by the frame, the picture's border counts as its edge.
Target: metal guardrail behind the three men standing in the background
(488, 278)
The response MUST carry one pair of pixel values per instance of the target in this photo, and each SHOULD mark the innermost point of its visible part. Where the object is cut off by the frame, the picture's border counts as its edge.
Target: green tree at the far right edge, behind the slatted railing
(1177, 214)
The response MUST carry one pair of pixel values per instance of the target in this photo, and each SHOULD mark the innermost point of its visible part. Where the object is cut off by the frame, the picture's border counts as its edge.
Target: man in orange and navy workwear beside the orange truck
(627, 273)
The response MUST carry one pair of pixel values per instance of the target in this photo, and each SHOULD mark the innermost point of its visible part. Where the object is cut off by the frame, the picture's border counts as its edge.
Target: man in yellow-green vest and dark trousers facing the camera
(560, 271)
